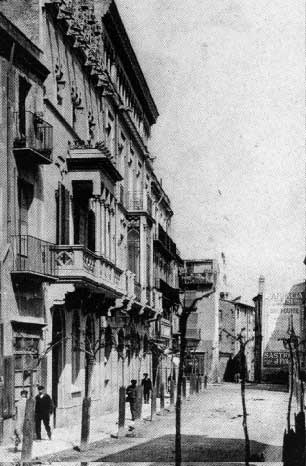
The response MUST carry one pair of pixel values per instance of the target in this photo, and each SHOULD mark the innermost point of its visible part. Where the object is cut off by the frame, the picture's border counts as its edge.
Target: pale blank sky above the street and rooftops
(228, 79)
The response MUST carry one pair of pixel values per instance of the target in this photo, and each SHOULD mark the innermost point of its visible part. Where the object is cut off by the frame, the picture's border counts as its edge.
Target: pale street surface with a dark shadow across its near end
(211, 431)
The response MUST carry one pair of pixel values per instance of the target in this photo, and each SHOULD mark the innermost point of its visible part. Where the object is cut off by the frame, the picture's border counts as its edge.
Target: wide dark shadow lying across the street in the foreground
(196, 448)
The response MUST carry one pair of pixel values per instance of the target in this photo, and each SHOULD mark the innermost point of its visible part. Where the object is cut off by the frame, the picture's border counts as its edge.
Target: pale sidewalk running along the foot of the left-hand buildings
(65, 438)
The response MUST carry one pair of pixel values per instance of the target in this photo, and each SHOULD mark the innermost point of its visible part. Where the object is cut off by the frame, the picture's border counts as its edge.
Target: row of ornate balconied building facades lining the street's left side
(88, 266)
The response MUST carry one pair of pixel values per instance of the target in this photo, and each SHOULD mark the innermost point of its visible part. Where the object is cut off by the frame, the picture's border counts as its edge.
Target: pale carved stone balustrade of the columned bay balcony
(76, 263)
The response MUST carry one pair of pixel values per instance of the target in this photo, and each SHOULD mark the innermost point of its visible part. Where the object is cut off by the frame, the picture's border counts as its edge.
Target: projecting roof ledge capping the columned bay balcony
(84, 157)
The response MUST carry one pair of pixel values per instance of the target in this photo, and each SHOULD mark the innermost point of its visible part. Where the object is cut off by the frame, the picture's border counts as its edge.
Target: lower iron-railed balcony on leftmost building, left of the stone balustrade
(33, 256)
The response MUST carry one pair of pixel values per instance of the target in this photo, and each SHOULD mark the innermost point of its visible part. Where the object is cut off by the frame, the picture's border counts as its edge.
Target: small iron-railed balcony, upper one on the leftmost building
(33, 139)
